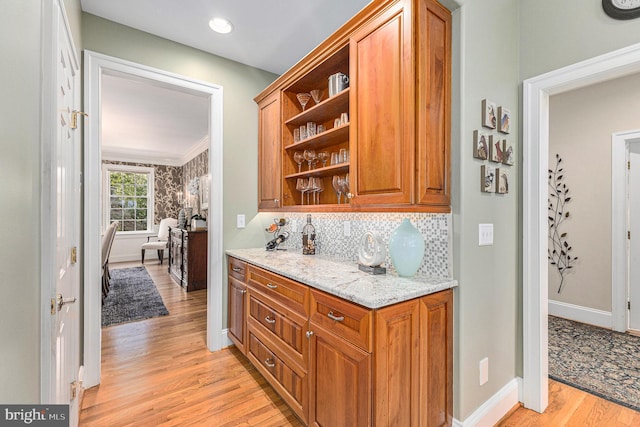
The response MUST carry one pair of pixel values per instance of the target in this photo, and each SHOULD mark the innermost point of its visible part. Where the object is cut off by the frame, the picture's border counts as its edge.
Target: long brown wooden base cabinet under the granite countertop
(336, 363)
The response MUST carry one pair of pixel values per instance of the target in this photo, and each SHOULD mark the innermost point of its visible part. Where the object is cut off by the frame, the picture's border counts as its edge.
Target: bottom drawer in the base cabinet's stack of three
(291, 385)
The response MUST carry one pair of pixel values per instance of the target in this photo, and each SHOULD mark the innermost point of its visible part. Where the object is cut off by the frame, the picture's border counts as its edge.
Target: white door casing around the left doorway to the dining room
(96, 66)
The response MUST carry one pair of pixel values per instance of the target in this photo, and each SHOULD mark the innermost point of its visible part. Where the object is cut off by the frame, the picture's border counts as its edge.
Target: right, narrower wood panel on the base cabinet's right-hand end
(436, 359)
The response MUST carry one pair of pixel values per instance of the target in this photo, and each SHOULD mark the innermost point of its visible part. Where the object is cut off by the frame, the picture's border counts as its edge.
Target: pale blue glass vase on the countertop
(406, 249)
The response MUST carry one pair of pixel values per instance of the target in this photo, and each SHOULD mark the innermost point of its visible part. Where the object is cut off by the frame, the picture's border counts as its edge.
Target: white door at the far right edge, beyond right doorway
(633, 203)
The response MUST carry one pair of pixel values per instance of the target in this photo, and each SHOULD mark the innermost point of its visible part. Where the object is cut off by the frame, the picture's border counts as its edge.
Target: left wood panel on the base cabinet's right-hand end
(397, 377)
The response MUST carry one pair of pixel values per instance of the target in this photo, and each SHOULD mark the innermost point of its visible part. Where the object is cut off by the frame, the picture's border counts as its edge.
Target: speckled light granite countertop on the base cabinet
(343, 278)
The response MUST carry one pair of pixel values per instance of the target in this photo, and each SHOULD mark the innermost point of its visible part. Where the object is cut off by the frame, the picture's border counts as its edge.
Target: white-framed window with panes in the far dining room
(129, 197)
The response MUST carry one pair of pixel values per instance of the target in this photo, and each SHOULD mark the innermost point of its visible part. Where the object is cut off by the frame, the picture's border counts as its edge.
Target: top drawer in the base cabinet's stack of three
(292, 294)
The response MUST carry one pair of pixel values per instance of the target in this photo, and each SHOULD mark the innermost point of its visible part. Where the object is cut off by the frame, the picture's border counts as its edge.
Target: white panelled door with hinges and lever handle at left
(62, 182)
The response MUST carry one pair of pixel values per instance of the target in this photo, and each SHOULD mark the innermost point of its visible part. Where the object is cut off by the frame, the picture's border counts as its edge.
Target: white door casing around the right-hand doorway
(536, 92)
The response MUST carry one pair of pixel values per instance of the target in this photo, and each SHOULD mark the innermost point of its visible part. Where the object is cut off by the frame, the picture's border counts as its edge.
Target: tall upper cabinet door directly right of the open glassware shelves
(382, 109)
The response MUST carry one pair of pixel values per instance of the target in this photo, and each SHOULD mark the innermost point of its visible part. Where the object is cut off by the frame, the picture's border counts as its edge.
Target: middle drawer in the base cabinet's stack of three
(283, 327)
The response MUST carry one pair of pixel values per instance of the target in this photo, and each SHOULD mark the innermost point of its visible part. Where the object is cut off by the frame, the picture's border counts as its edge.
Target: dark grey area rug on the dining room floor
(132, 296)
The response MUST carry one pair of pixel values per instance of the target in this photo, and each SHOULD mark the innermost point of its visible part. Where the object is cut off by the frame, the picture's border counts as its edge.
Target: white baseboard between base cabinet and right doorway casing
(491, 411)
